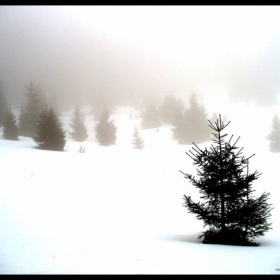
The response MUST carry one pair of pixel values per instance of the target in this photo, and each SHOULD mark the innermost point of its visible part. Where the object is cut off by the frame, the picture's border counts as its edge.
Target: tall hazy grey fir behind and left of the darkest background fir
(29, 114)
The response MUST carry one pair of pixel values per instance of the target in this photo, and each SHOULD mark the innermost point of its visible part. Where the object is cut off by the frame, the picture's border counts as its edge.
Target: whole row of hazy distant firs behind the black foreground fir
(188, 124)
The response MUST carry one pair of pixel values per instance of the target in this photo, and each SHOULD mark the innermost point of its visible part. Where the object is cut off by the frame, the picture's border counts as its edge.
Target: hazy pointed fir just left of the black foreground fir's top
(191, 126)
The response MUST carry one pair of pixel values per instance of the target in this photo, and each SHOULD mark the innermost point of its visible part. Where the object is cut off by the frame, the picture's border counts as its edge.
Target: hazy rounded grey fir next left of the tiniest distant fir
(106, 130)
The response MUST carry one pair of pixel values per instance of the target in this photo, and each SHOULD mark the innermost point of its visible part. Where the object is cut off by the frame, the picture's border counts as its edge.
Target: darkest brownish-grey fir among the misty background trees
(50, 134)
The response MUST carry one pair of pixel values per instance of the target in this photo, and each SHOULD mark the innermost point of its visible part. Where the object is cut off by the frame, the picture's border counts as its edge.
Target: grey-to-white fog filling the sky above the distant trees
(130, 53)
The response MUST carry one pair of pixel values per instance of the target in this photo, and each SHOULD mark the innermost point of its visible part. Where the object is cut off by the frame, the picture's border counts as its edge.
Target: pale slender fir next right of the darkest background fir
(79, 131)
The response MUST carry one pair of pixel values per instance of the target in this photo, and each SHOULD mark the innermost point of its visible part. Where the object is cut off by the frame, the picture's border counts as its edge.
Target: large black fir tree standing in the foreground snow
(233, 216)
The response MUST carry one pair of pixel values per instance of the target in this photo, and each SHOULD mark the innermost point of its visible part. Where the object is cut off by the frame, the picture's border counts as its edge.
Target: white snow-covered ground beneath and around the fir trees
(118, 210)
